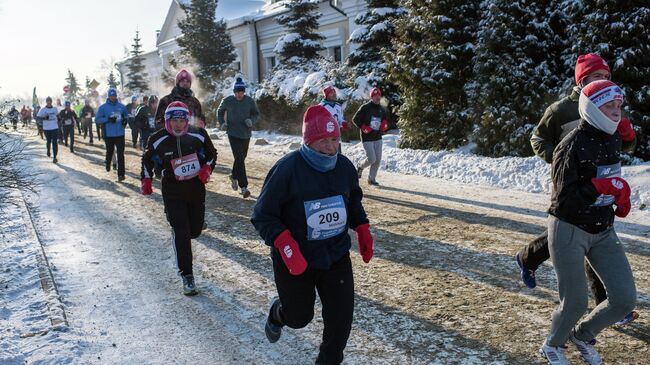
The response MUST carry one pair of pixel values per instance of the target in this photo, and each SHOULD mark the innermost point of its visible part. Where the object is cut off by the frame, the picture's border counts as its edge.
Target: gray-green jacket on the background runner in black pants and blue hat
(235, 112)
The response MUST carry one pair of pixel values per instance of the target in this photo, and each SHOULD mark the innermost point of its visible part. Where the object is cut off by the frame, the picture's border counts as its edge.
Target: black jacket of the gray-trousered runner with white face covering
(585, 153)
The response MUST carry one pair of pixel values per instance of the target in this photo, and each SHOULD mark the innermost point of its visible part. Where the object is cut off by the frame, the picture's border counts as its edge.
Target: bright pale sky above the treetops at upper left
(42, 39)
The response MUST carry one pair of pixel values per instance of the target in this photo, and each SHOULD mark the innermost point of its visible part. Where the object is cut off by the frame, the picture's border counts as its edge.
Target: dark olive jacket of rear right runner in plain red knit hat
(559, 119)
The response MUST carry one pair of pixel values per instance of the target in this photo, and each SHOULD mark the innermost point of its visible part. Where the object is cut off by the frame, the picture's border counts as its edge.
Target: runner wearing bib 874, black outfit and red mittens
(188, 157)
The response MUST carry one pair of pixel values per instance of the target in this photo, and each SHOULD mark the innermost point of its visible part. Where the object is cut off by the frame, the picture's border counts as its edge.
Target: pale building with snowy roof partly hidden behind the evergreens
(254, 32)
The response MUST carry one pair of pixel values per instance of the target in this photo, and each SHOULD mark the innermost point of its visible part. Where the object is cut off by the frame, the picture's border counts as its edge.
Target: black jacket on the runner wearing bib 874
(168, 147)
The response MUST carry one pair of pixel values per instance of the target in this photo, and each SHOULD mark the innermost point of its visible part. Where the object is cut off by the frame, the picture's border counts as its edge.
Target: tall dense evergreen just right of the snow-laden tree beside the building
(434, 49)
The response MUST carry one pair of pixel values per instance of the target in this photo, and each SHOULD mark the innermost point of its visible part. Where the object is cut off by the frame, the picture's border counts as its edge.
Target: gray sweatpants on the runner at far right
(569, 245)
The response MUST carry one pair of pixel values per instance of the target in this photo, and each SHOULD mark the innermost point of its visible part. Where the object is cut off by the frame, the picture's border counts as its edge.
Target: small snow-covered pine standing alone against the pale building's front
(302, 42)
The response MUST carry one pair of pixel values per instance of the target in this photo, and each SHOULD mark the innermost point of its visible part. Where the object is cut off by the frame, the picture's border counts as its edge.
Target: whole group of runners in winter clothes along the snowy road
(311, 198)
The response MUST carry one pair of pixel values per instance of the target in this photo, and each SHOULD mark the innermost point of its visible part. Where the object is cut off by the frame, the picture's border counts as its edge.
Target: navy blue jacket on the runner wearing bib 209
(292, 190)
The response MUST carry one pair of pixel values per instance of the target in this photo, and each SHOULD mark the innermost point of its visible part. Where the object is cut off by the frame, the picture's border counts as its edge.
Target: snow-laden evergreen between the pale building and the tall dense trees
(374, 40)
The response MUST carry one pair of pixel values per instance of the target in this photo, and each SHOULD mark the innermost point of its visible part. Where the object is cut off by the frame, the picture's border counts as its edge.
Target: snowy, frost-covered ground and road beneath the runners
(442, 287)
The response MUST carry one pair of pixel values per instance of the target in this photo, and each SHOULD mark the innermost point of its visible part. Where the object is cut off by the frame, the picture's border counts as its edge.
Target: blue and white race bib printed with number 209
(326, 218)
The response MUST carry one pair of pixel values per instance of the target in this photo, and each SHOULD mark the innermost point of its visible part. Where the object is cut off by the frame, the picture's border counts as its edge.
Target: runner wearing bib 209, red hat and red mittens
(309, 200)
